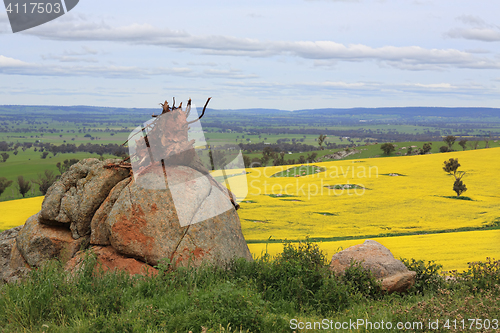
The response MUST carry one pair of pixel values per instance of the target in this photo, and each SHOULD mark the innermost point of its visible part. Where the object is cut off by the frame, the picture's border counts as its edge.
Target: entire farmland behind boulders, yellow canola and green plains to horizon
(405, 202)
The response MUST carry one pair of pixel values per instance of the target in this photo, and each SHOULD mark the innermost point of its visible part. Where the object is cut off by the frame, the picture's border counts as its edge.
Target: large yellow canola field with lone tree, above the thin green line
(415, 201)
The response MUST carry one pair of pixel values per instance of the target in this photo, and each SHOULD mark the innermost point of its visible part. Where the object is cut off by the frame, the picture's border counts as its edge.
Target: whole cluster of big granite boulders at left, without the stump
(174, 212)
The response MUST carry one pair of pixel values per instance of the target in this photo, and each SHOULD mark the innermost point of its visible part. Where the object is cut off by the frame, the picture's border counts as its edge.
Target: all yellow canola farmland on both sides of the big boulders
(416, 213)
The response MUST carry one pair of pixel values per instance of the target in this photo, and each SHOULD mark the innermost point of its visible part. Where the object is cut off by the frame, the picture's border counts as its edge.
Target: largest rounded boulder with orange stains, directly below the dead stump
(144, 222)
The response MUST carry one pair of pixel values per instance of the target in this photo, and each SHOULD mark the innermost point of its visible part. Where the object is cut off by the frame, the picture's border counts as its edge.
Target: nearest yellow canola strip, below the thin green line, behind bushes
(452, 250)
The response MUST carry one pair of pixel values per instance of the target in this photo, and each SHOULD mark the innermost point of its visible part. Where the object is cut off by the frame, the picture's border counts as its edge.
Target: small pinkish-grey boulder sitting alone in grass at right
(373, 256)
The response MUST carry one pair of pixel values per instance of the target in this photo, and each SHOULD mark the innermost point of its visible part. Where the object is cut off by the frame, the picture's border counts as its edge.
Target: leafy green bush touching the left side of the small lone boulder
(298, 279)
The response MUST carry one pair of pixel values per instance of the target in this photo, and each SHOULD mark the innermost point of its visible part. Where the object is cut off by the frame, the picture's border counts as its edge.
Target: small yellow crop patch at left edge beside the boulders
(16, 212)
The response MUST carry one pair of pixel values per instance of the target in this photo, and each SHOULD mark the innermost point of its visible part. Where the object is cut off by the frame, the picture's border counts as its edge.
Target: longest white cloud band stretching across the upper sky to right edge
(402, 57)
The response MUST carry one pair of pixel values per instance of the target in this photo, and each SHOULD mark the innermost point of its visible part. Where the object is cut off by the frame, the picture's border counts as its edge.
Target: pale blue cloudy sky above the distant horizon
(285, 54)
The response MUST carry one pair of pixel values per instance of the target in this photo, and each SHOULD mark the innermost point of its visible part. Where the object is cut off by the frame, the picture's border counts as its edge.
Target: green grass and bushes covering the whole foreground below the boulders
(266, 295)
